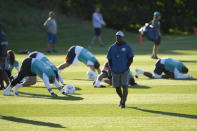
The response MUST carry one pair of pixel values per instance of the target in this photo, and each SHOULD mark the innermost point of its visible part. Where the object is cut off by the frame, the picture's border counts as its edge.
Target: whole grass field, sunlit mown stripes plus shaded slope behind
(162, 105)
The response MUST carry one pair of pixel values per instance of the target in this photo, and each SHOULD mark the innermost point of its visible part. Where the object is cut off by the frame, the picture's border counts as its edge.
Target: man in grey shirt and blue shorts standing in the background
(51, 28)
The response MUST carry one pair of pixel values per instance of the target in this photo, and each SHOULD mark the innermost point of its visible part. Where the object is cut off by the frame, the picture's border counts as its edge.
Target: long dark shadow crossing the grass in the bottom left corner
(32, 122)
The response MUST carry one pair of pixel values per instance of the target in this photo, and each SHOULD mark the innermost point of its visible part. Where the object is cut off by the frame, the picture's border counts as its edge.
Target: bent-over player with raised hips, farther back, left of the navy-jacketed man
(76, 53)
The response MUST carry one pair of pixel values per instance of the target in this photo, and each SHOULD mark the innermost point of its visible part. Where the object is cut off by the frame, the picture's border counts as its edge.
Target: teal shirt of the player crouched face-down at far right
(170, 64)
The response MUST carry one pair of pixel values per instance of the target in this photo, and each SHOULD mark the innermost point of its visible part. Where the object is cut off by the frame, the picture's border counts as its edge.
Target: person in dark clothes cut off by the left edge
(3, 58)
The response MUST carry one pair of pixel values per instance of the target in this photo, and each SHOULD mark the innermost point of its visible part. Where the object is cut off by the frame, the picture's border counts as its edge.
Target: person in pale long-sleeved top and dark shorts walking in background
(98, 22)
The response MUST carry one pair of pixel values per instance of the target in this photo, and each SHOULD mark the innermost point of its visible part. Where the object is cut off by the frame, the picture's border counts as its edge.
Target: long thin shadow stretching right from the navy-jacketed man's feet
(166, 113)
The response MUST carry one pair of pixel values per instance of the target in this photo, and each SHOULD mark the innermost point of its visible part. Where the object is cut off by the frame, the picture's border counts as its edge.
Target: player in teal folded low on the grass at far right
(172, 68)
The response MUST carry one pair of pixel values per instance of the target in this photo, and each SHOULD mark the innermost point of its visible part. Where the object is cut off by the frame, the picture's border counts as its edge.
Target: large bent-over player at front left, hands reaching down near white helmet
(33, 67)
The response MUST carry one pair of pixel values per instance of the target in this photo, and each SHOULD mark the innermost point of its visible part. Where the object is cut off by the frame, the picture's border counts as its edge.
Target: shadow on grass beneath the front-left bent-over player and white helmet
(33, 95)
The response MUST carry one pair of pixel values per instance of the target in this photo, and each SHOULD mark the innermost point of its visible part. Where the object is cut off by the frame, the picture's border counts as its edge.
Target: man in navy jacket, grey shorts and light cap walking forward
(120, 56)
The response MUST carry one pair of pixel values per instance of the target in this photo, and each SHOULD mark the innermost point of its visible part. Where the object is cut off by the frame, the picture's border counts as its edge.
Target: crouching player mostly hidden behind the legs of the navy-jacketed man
(106, 73)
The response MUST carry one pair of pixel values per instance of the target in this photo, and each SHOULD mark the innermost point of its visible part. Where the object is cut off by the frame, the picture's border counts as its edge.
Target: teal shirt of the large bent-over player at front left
(38, 67)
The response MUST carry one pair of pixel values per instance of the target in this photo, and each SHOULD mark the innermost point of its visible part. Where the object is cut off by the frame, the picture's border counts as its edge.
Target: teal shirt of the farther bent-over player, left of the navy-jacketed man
(86, 56)
